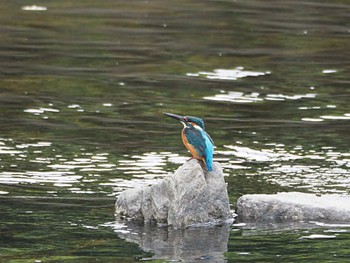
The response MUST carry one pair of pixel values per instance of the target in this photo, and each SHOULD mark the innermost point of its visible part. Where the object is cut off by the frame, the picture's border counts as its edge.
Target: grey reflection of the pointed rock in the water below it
(187, 245)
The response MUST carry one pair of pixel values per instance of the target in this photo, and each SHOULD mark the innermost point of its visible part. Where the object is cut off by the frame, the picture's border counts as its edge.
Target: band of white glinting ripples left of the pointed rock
(85, 169)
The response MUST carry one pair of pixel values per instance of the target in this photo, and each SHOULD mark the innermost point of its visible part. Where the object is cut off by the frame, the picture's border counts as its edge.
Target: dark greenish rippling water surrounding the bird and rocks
(82, 90)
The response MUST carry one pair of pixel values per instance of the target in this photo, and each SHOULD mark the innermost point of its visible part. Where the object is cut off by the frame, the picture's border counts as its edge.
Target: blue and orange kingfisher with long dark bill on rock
(196, 139)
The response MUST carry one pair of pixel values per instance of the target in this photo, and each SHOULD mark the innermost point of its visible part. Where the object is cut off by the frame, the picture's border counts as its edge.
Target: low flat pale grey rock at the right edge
(293, 207)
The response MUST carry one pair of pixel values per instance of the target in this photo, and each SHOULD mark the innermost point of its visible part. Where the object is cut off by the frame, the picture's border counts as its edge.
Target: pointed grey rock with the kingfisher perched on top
(190, 196)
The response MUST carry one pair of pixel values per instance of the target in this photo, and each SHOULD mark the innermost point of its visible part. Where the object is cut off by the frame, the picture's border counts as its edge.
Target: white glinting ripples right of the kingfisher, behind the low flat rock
(325, 171)
